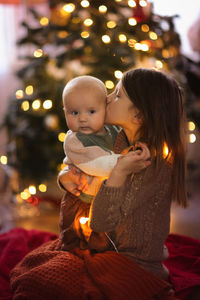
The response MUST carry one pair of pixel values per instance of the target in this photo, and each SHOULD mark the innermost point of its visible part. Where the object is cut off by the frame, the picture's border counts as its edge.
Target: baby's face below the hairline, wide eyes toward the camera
(85, 110)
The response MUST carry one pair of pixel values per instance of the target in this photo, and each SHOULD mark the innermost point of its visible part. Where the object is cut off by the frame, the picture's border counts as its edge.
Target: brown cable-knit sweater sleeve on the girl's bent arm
(112, 204)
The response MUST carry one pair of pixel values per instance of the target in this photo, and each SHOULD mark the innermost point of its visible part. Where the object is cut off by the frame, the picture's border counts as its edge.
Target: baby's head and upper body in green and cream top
(88, 143)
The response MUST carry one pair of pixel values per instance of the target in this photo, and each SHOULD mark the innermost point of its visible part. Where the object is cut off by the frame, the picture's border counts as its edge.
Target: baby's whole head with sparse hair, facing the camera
(84, 100)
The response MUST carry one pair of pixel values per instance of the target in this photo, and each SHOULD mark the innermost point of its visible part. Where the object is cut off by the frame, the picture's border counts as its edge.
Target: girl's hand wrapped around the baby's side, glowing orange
(73, 180)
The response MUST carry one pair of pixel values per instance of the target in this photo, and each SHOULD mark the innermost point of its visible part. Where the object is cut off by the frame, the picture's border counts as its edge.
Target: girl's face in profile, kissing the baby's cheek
(121, 110)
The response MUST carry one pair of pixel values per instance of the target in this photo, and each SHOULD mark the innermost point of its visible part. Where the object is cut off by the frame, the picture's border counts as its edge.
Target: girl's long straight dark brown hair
(160, 102)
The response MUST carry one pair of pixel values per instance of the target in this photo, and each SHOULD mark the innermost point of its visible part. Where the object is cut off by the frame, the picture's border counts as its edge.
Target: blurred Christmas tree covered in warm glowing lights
(99, 38)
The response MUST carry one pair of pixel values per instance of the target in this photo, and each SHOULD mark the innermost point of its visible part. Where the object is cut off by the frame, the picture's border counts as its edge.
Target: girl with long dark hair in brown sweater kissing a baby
(133, 211)
